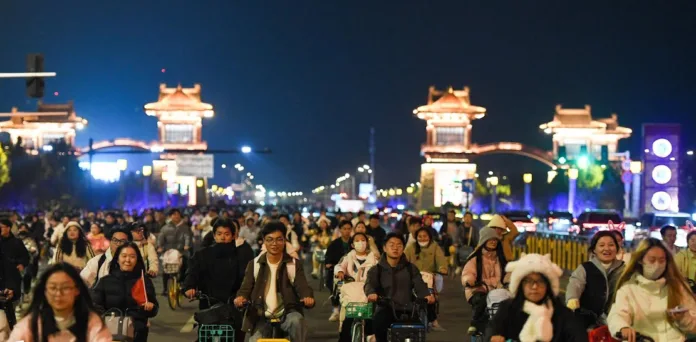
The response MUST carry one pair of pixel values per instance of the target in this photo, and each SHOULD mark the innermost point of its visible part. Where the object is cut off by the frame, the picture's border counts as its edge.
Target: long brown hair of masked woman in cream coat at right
(677, 288)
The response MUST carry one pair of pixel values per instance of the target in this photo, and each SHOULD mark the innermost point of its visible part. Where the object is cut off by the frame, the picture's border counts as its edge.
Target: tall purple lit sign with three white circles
(661, 157)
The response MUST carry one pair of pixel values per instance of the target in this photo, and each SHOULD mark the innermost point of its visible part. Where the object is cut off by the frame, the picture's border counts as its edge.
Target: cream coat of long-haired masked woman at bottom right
(642, 304)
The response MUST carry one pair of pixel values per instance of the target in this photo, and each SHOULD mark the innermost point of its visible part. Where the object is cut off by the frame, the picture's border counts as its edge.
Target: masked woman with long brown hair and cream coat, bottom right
(652, 297)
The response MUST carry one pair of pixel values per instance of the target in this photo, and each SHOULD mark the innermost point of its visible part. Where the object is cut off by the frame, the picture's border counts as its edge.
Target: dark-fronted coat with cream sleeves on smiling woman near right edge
(594, 286)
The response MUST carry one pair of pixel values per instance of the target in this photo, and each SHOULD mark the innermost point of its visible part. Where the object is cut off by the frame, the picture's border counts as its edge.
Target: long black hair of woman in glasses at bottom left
(42, 313)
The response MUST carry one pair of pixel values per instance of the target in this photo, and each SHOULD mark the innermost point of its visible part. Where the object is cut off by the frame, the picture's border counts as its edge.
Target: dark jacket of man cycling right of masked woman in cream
(397, 283)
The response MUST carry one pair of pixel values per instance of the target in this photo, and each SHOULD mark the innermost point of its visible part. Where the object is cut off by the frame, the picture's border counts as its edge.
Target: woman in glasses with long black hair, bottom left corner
(61, 310)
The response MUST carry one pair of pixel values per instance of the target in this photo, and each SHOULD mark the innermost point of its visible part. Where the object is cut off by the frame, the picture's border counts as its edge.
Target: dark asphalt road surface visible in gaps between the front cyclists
(455, 313)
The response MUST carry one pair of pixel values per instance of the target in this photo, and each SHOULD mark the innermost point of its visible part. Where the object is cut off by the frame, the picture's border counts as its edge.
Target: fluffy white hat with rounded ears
(534, 263)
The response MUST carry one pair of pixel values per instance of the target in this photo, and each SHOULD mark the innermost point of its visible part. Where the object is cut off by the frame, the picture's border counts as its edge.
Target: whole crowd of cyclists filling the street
(252, 260)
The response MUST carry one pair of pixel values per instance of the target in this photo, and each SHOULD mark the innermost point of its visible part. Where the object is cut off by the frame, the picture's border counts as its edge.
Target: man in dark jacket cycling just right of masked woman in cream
(382, 280)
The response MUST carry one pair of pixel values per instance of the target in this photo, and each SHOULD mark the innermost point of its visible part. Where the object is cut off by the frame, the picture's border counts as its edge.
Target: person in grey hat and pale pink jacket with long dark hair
(483, 271)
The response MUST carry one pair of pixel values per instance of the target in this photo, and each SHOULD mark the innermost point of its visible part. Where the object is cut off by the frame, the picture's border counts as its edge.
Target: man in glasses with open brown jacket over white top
(275, 283)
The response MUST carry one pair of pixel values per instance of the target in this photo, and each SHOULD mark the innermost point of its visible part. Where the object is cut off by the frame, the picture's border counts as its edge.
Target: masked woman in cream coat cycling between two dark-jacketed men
(355, 265)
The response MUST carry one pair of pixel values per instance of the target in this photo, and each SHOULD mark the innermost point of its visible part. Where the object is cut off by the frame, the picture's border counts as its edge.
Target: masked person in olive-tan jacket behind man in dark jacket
(427, 255)
